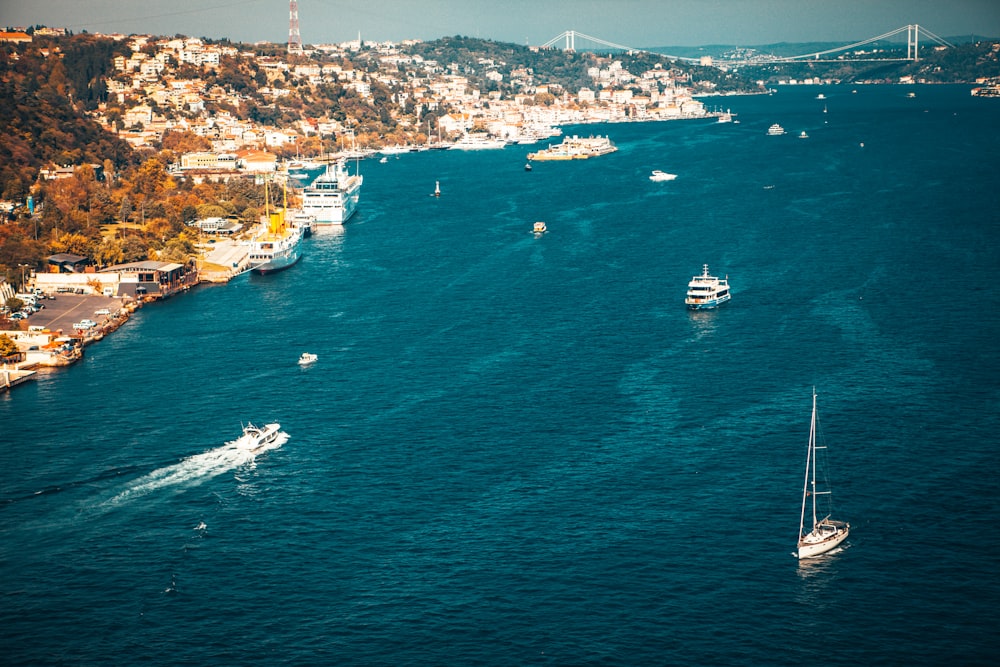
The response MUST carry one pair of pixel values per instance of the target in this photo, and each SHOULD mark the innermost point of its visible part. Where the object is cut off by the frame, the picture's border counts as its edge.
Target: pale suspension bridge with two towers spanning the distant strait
(913, 35)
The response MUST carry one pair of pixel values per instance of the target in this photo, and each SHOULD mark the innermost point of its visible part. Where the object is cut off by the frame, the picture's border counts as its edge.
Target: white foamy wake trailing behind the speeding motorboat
(194, 470)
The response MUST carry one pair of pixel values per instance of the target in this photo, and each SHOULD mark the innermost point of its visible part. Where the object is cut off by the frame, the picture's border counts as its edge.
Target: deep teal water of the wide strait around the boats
(524, 450)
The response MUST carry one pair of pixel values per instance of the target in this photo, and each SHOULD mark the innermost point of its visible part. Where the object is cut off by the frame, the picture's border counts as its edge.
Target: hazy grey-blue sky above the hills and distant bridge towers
(638, 23)
